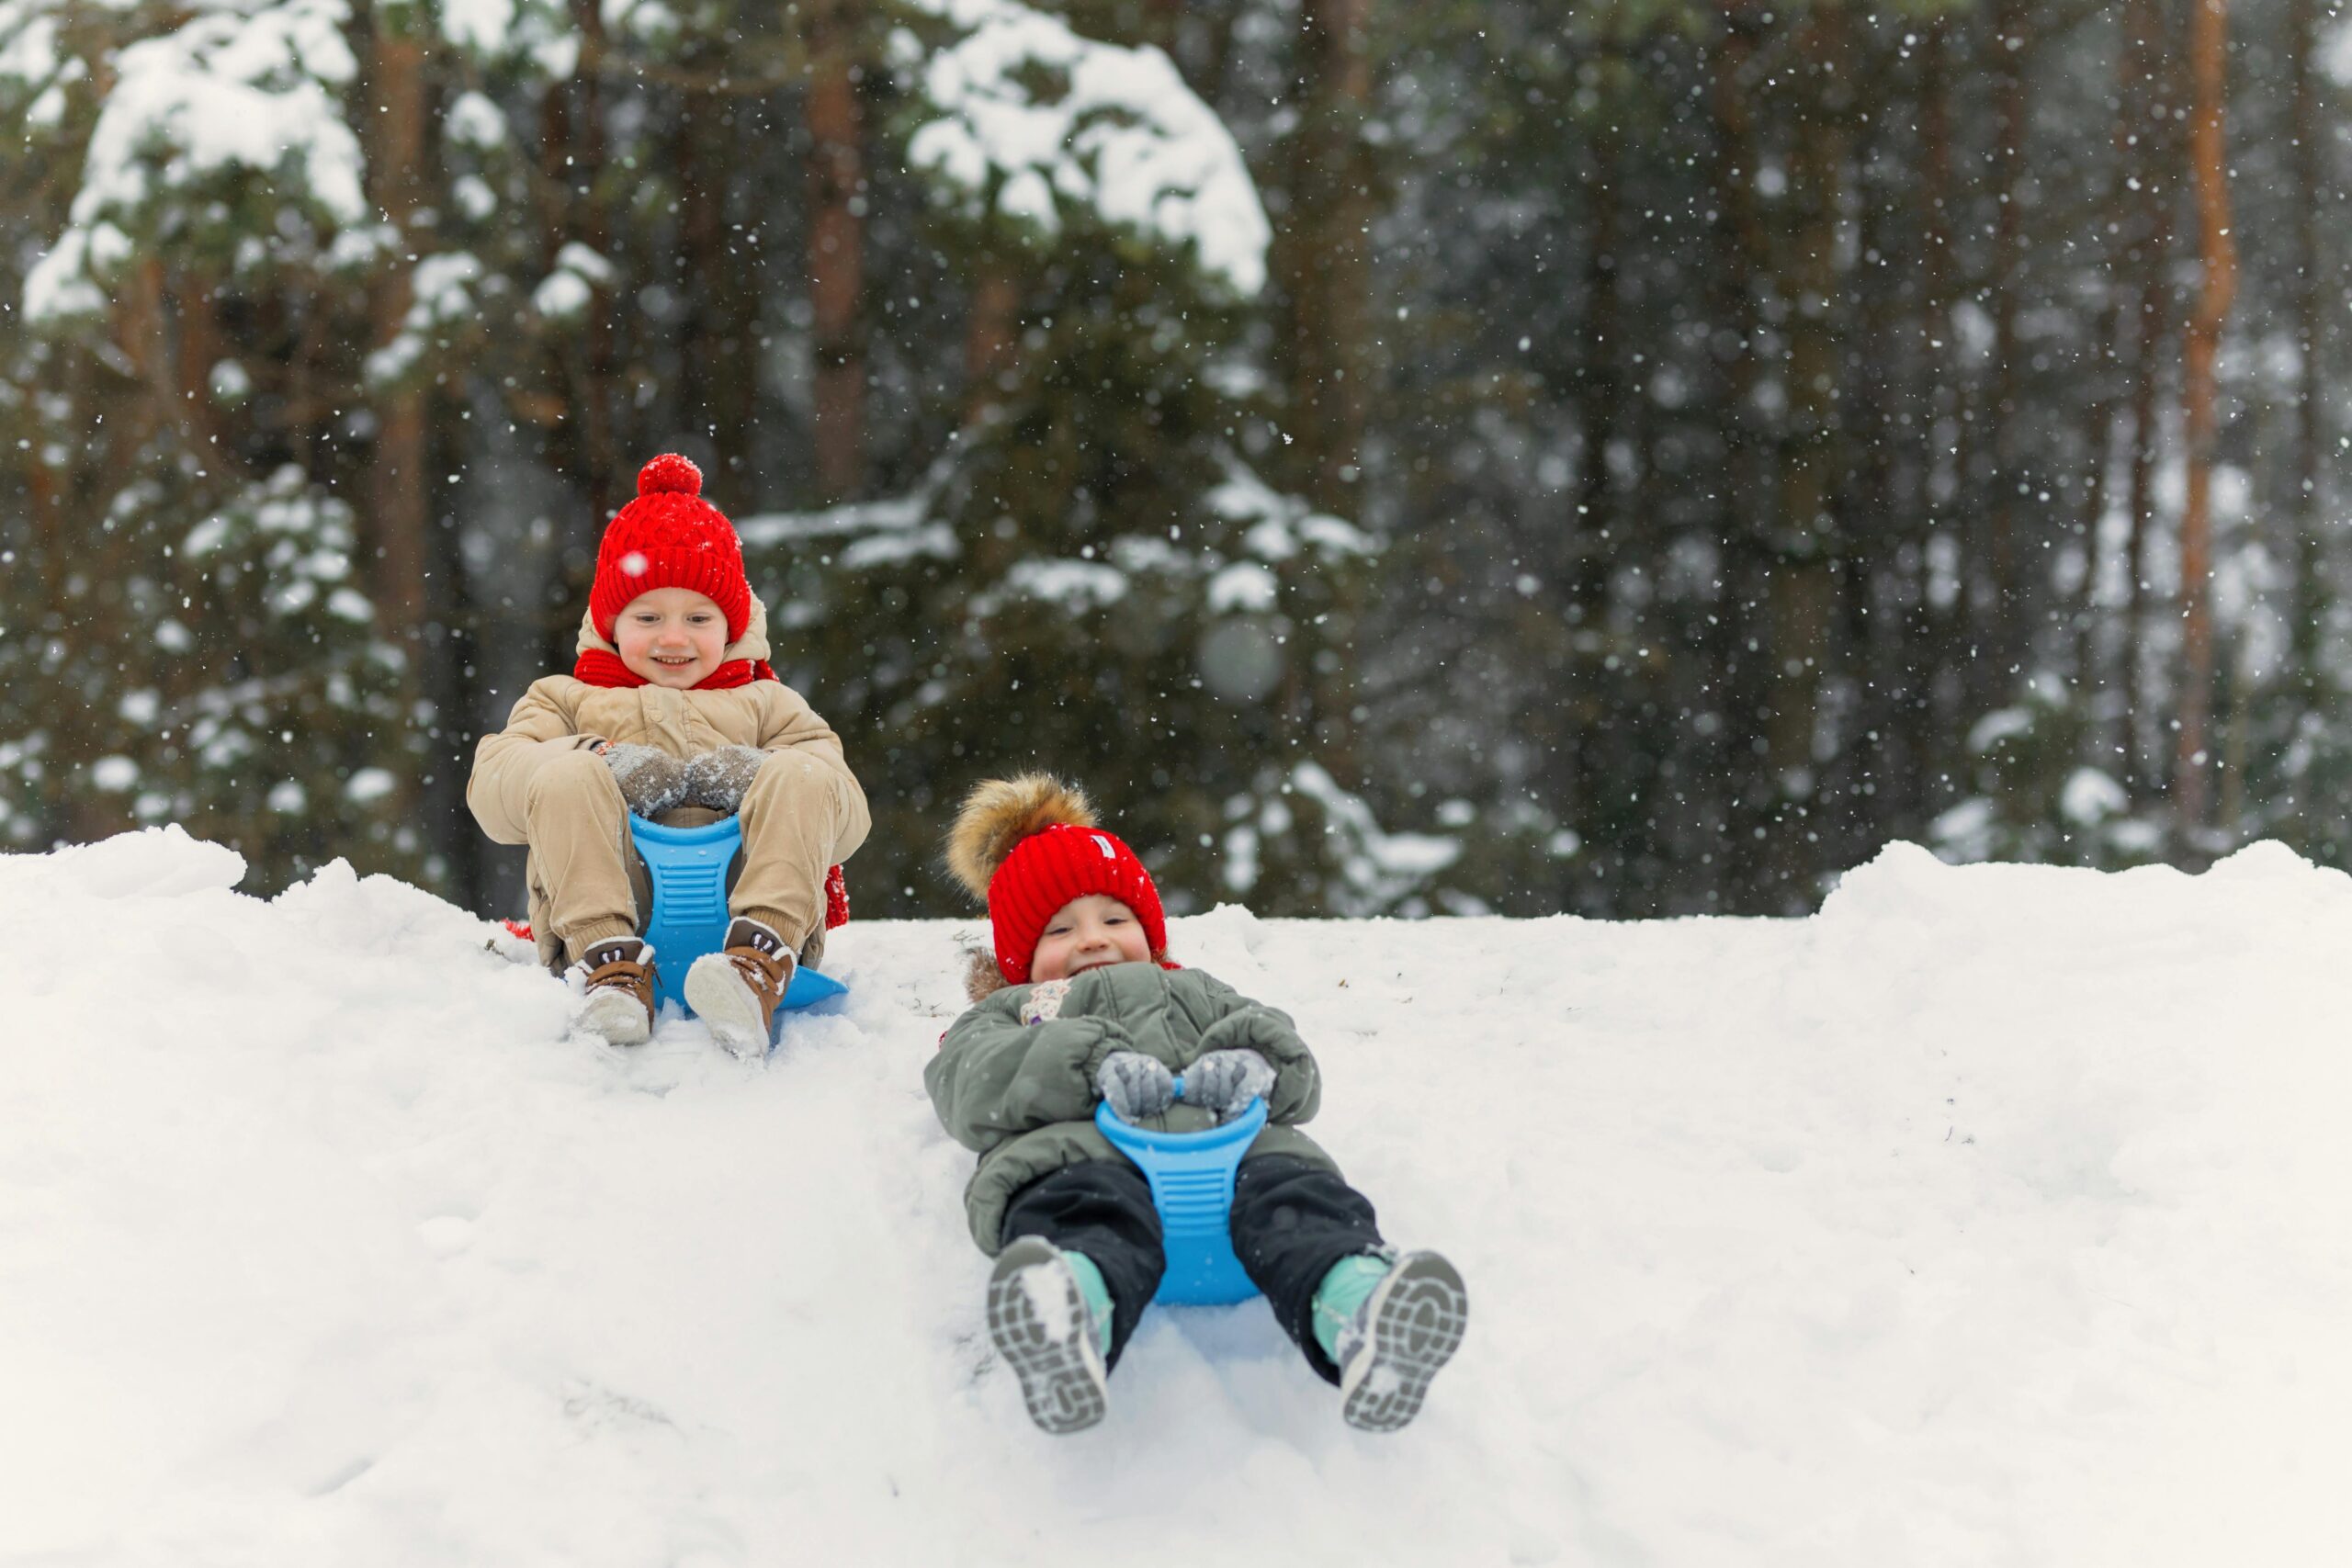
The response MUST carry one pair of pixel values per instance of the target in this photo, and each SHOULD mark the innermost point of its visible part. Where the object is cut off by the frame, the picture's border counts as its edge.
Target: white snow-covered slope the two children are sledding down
(1991, 1217)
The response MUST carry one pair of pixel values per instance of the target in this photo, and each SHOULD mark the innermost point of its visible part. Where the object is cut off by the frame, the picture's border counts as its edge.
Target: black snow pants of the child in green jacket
(1290, 1224)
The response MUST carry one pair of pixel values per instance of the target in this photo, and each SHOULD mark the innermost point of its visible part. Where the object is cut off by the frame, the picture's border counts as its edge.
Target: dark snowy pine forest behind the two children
(1650, 457)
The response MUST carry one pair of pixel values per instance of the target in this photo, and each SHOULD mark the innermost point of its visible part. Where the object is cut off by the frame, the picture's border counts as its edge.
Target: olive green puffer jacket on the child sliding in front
(1024, 1097)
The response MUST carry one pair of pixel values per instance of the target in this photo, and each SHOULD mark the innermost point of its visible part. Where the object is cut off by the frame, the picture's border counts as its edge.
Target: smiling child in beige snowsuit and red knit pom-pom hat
(676, 716)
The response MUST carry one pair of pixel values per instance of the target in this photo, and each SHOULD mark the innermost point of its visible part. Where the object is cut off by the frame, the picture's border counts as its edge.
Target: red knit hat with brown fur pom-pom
(1029, 847)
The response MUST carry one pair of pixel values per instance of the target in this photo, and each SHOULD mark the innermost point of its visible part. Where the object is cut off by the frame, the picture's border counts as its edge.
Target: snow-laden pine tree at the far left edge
(187, 636)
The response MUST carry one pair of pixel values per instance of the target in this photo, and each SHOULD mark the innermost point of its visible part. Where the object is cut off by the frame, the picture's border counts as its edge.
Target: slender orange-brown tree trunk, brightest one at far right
(2210, 170)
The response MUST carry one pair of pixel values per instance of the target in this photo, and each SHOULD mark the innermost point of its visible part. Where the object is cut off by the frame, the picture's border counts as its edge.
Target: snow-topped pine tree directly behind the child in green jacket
(1095, 577)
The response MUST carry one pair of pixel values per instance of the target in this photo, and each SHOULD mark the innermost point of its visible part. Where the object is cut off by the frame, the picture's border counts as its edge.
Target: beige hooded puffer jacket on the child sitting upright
(563, 713)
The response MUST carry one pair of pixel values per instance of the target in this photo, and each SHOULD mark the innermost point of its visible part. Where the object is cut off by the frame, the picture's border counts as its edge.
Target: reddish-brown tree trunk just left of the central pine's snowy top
(838, 246)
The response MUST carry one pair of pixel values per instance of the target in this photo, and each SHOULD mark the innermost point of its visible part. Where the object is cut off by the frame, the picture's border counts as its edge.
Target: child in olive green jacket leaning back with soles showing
(1078, 1005)
